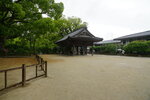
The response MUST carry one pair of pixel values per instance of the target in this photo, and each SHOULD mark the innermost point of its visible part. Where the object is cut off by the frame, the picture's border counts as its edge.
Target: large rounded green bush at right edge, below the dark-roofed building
(138, 48)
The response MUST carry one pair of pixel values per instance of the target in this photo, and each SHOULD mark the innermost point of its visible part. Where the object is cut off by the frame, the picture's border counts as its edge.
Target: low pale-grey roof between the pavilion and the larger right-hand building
(107, 42)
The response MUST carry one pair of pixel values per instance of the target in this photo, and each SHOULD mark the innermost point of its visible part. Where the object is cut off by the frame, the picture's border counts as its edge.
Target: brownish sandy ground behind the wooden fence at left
(15, 75)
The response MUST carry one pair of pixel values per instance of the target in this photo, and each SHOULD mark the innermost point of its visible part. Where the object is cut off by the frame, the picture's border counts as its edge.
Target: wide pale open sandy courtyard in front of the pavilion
(96, 77)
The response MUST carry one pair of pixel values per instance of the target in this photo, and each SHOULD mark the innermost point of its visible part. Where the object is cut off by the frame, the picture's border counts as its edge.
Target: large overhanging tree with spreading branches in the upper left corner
(19, 16)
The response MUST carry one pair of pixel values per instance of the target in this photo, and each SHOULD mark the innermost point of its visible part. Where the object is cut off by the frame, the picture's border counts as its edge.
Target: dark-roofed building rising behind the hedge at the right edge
(133, 37)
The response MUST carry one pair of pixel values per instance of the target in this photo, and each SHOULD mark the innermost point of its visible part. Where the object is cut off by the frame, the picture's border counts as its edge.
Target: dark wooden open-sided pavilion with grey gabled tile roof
(76, 43)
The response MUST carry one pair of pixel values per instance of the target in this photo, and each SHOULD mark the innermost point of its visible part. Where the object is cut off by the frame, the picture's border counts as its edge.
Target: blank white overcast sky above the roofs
(110, 18)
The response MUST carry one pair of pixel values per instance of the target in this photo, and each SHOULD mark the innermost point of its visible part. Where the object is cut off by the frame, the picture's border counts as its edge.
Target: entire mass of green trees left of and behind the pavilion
(23, 28)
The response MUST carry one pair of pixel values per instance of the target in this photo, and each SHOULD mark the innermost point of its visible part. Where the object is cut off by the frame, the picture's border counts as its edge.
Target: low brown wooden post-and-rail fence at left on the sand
(42, 65)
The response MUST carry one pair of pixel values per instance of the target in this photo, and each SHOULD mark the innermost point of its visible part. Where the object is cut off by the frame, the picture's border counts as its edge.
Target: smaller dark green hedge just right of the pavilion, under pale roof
(106, 49)
